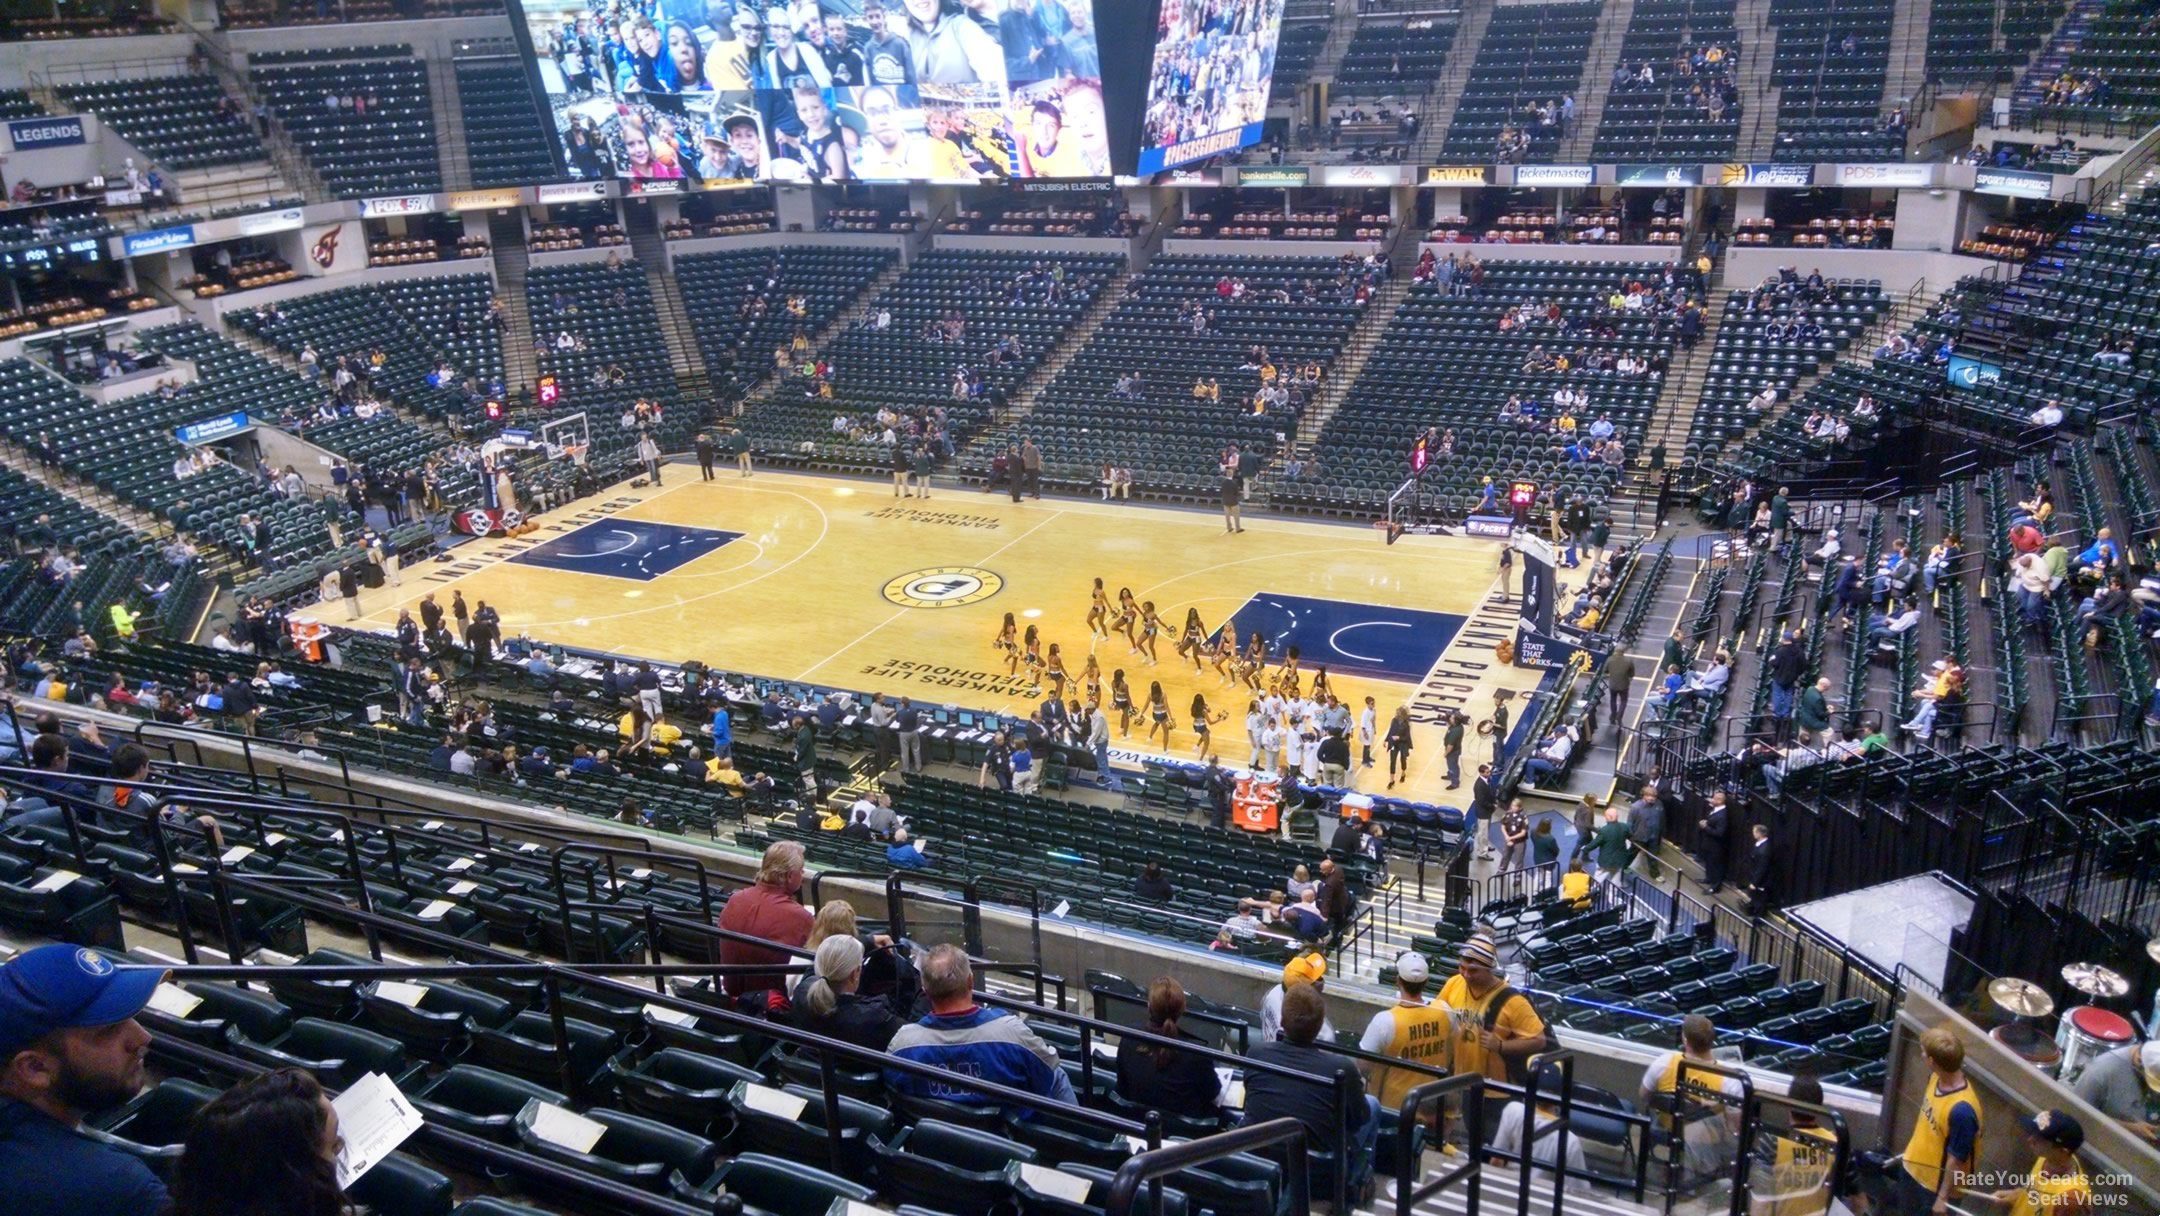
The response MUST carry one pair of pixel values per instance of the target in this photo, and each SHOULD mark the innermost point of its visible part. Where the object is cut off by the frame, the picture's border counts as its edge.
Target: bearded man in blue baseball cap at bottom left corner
(70, 1046)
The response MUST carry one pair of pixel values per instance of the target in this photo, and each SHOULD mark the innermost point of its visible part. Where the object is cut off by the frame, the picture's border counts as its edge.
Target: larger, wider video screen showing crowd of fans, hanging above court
(716, 94)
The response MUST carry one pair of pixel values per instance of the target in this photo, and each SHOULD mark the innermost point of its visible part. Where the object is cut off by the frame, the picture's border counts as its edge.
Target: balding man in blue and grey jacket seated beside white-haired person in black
(960, 1036)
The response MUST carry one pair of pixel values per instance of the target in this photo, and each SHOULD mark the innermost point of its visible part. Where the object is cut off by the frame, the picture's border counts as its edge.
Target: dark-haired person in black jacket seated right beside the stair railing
(1312, 1098)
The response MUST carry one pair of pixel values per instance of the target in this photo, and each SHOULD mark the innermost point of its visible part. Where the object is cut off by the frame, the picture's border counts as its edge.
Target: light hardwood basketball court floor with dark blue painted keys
(841, 584)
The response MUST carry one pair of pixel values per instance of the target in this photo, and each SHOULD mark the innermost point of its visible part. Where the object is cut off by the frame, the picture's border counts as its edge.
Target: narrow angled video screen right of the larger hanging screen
(1209, 87)
